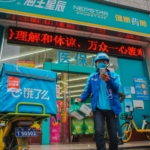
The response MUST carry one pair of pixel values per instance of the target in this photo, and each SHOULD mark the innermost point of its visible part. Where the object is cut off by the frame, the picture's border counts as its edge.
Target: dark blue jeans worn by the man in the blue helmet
(99, 117)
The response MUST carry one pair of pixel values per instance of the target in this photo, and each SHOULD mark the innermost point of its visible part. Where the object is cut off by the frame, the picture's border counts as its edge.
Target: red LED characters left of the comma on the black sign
(37, 37)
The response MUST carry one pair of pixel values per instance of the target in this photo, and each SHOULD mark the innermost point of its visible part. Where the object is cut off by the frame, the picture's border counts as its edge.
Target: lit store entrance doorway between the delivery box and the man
(71, 86)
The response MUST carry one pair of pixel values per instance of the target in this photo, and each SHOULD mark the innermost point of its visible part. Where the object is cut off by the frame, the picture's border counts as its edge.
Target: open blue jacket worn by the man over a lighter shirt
(93, 87)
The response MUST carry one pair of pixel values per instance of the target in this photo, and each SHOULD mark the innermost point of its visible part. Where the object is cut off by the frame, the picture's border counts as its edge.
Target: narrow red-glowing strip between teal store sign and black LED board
(50, 23)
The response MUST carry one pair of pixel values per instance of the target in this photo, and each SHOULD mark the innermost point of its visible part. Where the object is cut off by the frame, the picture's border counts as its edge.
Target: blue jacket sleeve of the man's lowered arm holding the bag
(87, 90)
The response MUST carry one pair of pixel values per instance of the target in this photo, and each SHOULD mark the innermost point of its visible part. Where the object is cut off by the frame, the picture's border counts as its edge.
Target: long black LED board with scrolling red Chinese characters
(62, 41)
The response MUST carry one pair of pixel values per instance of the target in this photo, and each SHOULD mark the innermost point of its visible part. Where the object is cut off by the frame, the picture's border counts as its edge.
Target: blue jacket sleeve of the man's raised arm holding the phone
(114, 84)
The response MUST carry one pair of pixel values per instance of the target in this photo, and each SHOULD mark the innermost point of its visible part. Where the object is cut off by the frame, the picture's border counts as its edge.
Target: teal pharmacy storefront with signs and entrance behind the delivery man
(69, 49)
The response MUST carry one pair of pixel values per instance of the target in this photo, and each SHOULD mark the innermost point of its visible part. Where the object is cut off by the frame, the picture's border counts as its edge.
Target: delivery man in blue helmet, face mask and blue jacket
(104, 87)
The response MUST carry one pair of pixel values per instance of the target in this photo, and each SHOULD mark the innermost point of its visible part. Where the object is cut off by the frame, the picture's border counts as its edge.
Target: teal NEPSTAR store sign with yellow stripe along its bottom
(83, 12)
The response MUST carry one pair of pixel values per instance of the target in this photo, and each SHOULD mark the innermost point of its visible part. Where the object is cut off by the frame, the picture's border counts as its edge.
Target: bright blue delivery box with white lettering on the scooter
(27, 85)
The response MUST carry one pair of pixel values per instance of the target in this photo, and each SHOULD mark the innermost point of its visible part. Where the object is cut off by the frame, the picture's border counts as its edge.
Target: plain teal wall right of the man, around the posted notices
(128, 69)
